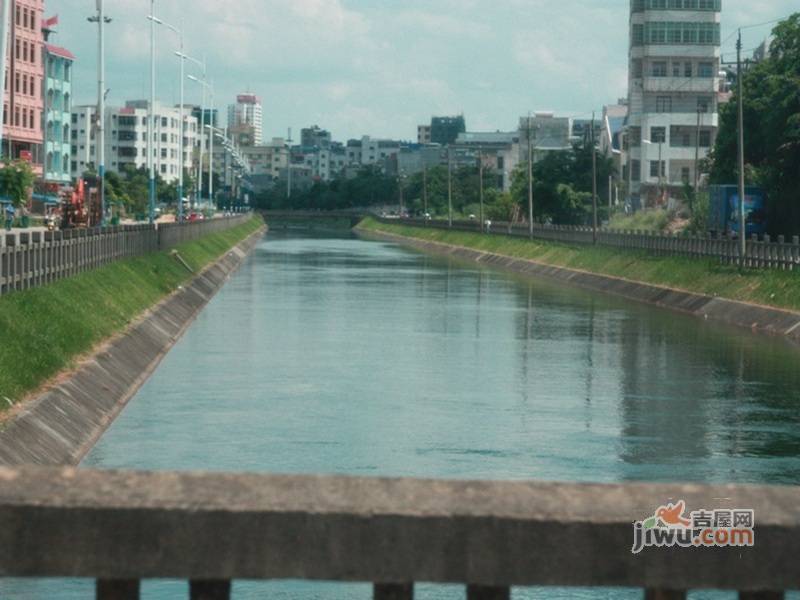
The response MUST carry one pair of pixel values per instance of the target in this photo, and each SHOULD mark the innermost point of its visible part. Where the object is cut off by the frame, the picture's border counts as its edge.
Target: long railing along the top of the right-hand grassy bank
(762, 252)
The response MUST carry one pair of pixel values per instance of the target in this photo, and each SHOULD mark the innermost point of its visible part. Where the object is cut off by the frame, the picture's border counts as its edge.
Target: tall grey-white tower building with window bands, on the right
(673, 85)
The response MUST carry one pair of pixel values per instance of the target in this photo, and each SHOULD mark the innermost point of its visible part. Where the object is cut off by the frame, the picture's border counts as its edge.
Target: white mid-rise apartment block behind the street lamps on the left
(126, 139)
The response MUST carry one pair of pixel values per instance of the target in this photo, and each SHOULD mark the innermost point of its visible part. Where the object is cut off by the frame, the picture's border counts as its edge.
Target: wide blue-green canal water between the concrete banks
(331, 354)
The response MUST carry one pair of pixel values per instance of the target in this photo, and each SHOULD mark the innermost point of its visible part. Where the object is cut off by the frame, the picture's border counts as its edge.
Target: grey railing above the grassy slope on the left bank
(33, 259)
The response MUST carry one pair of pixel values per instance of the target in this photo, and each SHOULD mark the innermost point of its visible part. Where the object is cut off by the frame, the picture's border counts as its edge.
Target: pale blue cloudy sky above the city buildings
(379, 67)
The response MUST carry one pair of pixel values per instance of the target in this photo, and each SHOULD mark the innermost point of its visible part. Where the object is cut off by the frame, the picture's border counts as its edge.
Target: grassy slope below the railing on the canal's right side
(774, 288)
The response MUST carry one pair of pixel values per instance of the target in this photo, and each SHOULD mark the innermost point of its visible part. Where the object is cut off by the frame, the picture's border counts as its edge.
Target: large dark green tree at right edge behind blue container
(771, 100)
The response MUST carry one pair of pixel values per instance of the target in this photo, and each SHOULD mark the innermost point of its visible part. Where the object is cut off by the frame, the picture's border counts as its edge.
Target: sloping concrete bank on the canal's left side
(61, 426)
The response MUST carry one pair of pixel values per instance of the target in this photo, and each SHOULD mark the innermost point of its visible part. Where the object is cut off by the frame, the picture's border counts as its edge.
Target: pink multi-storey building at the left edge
(23, 100)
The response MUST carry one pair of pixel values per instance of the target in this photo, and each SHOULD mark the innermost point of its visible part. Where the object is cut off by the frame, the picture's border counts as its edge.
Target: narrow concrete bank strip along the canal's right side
(764, 319)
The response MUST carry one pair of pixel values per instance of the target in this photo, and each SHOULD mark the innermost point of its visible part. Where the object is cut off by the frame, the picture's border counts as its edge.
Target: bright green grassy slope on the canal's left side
(43, 329)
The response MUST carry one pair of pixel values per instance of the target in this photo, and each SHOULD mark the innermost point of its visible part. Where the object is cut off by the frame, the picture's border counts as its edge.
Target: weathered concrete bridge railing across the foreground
(122, 527)
